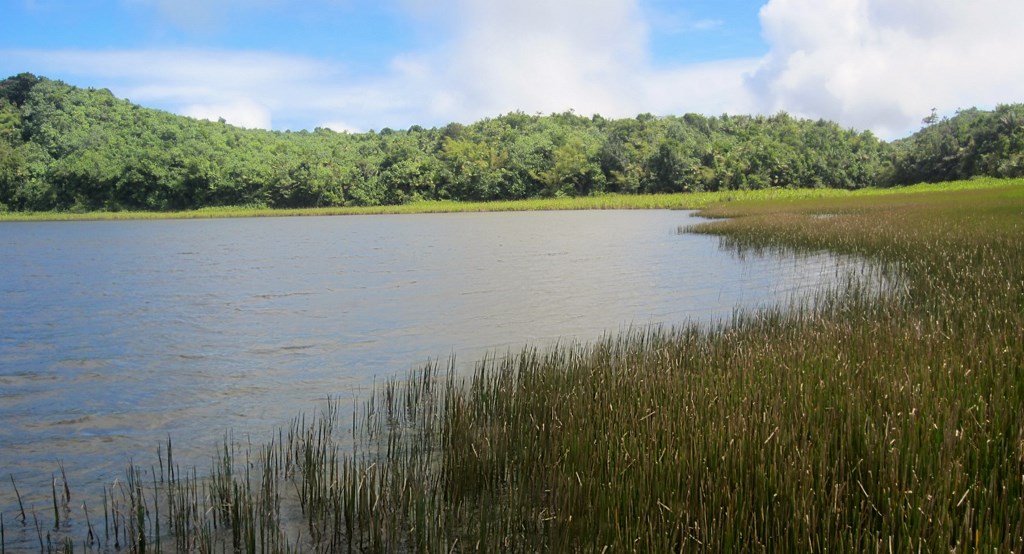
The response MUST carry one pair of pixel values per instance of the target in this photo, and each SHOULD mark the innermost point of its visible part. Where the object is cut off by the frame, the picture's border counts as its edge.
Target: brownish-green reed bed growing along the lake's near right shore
(882, 416)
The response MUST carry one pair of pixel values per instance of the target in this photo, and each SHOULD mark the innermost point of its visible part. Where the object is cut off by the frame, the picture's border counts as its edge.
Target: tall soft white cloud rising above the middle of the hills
(546, 57)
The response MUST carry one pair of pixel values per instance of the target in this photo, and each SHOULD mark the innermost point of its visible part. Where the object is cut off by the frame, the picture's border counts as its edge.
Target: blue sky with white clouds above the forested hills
(362, 65)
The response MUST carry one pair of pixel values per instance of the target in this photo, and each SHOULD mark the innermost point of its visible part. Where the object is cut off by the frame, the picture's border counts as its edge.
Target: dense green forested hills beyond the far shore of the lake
(64, 148)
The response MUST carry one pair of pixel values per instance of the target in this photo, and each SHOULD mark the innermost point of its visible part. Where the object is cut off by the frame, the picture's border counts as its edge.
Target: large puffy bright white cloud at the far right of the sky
(883, 65)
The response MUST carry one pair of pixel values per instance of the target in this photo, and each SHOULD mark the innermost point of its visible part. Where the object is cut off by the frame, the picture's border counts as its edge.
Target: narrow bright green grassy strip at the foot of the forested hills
(689, 201)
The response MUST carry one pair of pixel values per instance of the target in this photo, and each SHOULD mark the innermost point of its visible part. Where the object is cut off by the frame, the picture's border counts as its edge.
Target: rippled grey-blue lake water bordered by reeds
(118, 334)
